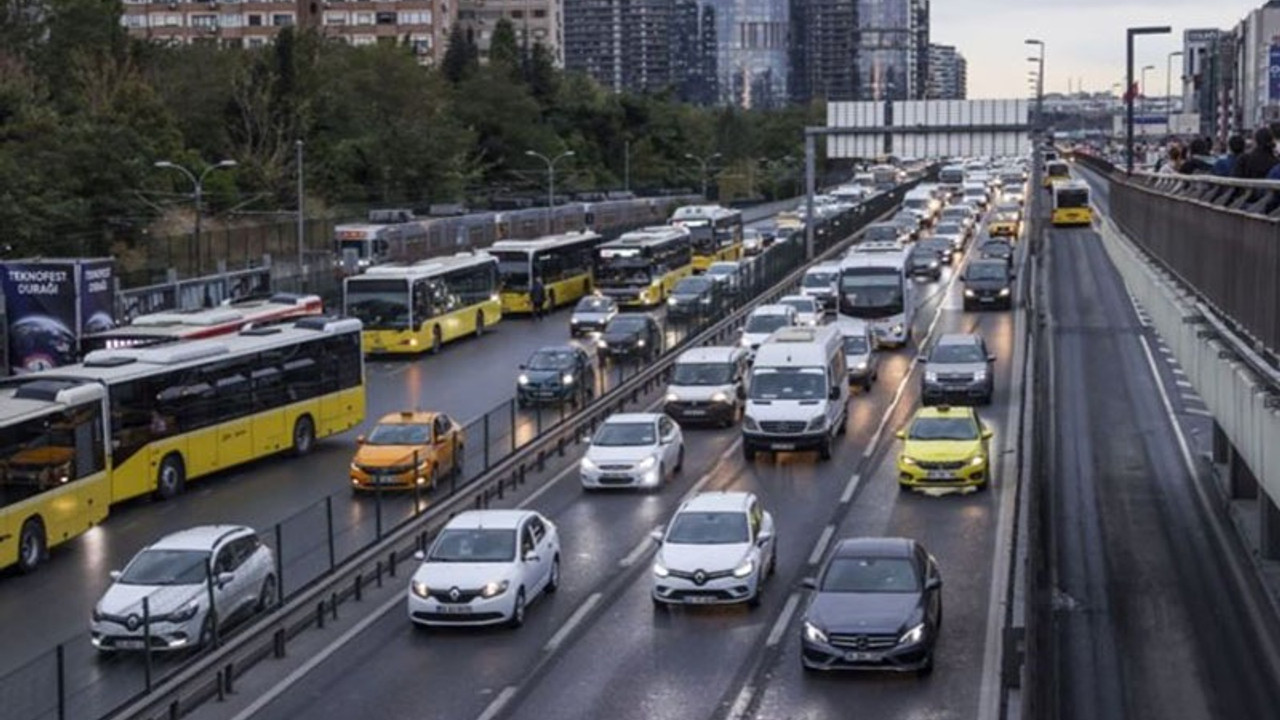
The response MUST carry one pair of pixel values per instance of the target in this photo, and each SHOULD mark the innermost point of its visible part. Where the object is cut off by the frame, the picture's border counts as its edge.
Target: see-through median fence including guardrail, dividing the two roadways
(324, 558)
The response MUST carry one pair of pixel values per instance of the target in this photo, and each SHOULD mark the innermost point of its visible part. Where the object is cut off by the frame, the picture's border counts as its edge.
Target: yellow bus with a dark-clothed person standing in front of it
(563, 262)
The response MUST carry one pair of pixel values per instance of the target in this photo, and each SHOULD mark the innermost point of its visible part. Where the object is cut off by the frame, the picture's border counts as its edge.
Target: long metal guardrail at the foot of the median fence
(214, 673)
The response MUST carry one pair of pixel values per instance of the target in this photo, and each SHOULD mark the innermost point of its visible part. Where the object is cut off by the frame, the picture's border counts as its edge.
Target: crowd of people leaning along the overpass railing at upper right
(1245, 160)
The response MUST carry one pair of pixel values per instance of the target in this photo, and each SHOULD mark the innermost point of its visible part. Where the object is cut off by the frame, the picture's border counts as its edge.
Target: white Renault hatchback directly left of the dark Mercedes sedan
(719, 549)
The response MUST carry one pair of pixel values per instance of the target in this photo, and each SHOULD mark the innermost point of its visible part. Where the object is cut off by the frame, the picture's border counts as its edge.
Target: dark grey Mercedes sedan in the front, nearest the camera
(876, 605)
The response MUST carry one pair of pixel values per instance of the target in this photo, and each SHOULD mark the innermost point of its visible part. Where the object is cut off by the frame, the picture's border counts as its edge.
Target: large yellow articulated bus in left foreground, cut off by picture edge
(138, 421)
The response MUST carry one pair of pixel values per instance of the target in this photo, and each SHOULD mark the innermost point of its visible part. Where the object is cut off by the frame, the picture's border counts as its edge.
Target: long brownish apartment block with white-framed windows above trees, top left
(232, 24)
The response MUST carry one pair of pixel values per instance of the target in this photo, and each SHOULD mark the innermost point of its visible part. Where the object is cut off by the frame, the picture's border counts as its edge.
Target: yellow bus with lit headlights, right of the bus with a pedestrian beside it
(641, 268)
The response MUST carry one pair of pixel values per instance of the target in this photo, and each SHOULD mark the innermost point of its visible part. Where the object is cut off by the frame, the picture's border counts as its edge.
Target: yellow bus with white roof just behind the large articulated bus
(419, 307)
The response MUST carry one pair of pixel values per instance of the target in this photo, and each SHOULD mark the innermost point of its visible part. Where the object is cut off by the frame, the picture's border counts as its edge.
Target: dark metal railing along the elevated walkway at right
(1220, 238)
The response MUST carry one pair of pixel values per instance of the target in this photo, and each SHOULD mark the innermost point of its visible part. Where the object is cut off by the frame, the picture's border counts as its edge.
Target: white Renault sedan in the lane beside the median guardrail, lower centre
(484, 568)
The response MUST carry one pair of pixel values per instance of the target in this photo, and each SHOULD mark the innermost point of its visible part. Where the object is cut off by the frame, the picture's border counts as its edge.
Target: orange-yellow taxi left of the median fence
(408, 450)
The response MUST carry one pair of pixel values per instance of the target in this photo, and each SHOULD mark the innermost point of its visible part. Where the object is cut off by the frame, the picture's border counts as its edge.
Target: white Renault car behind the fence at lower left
(177, 576)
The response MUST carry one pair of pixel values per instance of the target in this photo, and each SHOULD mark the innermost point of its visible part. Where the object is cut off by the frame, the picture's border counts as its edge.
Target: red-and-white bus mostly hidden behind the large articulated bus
(194, 325)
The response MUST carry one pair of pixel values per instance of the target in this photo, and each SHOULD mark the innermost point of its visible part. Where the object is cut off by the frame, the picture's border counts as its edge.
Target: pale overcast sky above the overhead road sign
(1085, 39)
